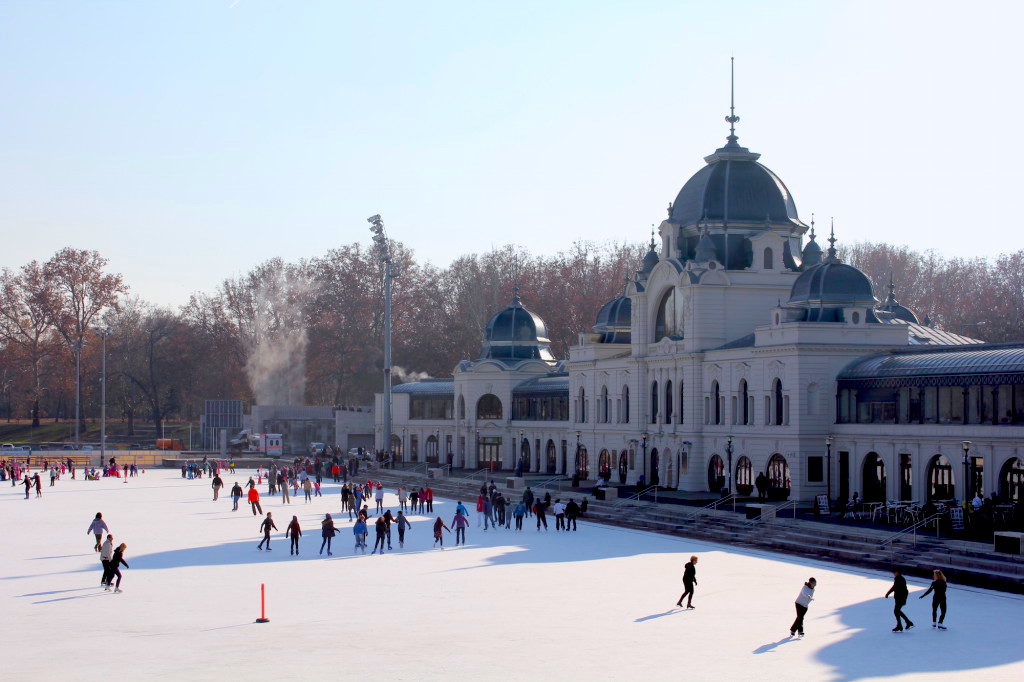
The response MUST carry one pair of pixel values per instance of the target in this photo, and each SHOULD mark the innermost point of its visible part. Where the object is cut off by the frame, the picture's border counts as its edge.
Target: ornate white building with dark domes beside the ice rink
(740, 348)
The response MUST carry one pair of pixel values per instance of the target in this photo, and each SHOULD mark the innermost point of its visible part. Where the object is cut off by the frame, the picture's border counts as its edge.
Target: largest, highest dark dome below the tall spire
(735, 188)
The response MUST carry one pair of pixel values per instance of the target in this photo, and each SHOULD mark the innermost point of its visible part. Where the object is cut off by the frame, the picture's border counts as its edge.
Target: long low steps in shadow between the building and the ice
(962, 562)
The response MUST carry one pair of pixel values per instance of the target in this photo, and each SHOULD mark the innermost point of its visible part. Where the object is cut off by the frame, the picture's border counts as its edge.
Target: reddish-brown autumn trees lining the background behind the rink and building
(311, 331)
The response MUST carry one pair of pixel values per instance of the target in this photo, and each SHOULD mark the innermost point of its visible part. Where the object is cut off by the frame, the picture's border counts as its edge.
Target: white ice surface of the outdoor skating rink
(595, 605)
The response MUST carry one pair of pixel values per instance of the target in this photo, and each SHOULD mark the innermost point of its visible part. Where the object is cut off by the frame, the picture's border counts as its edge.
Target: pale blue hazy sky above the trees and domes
(188, 142)
